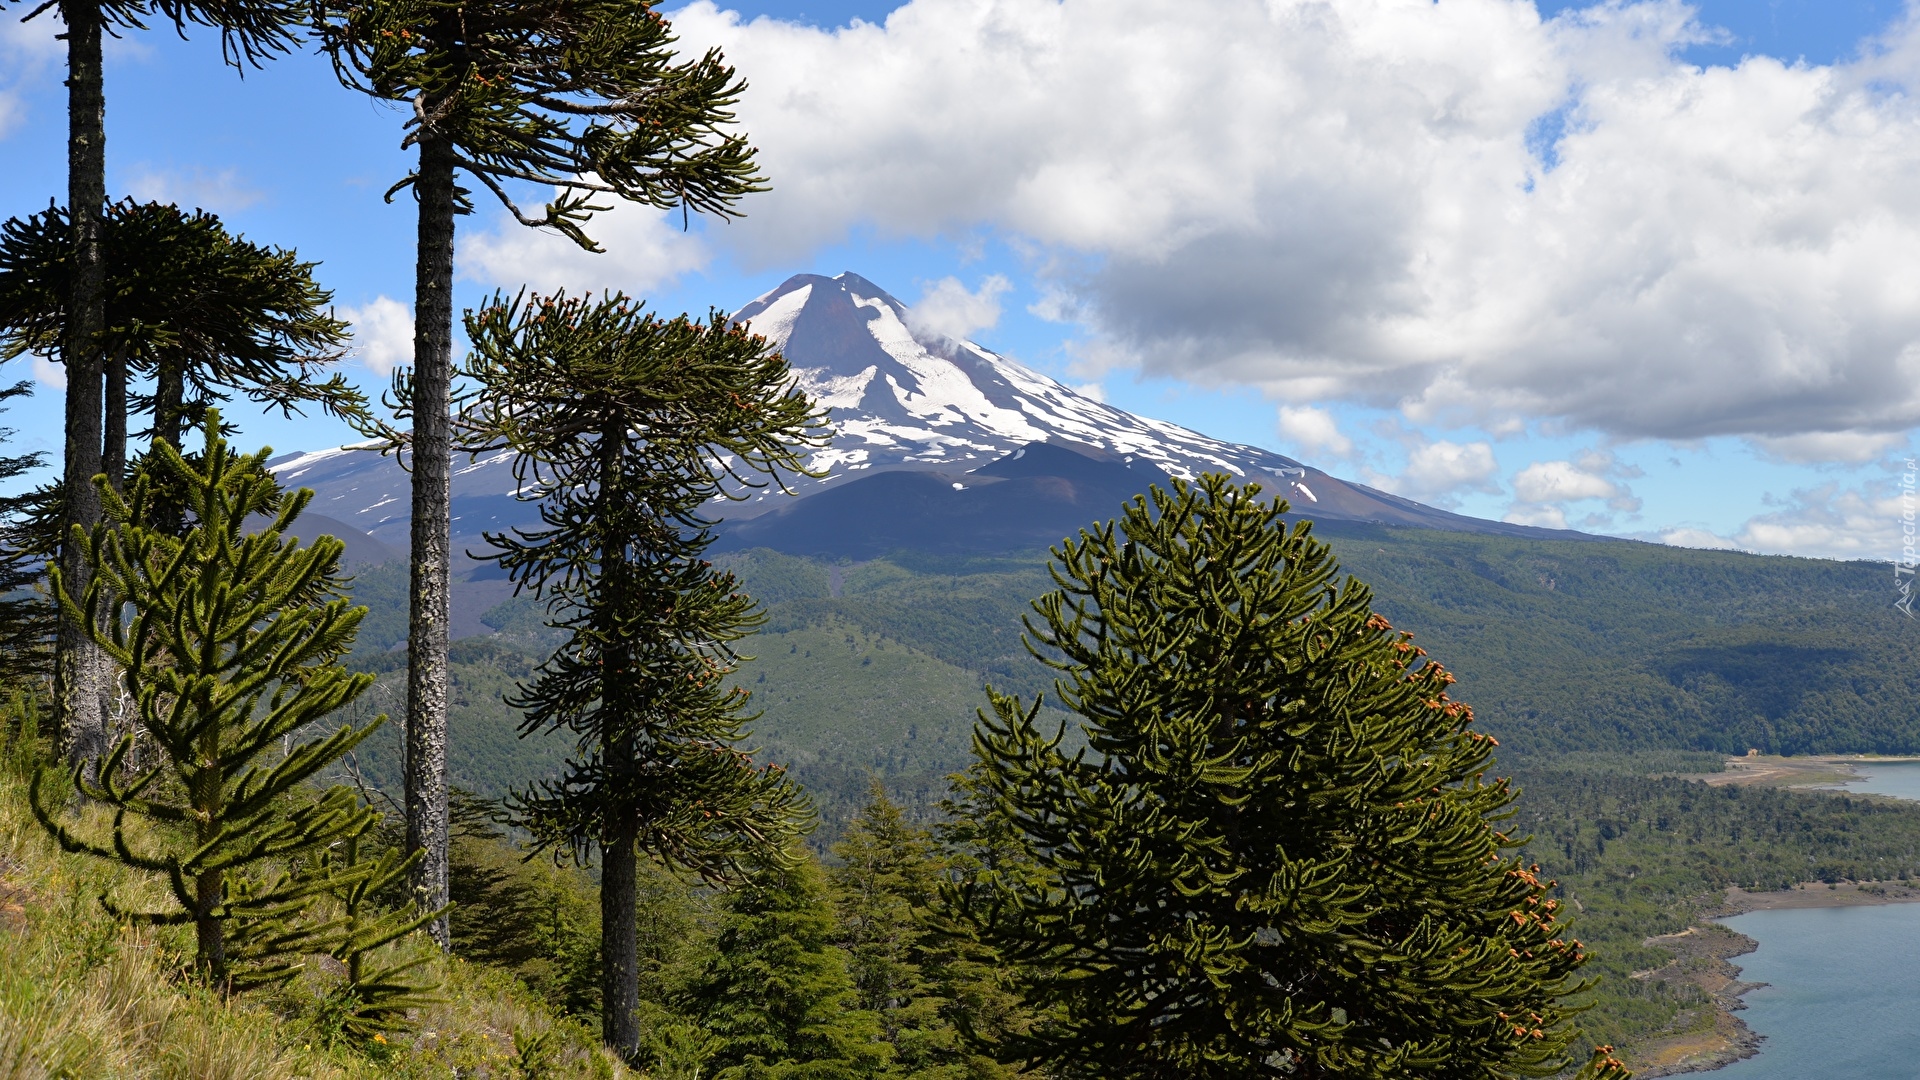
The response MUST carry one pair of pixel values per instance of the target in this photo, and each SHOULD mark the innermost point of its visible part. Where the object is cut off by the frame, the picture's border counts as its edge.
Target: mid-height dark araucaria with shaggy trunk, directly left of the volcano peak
(625, 428)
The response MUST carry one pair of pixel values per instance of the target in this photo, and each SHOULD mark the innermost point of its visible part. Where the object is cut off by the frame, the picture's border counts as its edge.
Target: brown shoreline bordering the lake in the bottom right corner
(1704, 958)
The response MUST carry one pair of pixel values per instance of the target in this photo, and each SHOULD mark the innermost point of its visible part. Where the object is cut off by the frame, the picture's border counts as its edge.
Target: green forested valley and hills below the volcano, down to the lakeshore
(1623, 681)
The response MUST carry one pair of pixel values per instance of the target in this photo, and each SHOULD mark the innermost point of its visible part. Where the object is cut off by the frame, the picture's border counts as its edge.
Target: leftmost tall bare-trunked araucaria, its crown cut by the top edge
(251, 32)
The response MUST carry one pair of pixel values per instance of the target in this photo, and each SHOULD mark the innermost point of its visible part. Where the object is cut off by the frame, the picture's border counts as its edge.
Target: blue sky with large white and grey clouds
(1633, 268)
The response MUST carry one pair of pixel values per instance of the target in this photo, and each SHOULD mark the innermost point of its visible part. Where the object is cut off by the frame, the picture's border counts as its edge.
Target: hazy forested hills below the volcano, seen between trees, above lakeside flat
(876, 666)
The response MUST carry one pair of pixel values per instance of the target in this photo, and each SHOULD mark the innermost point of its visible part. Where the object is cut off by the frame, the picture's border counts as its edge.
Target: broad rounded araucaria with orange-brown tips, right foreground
(1276, 856)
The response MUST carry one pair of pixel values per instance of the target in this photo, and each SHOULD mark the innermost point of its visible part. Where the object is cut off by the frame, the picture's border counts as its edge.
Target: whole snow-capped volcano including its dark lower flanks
(903, 401)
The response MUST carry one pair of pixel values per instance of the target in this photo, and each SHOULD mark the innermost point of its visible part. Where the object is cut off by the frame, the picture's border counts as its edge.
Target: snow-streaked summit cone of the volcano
(913, 399)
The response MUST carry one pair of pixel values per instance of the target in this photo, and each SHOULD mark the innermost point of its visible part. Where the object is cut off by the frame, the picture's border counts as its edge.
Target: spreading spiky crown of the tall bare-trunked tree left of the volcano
(583, 95)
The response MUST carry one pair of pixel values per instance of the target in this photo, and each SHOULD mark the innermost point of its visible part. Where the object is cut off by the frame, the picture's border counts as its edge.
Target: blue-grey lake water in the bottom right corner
(1844, 1000)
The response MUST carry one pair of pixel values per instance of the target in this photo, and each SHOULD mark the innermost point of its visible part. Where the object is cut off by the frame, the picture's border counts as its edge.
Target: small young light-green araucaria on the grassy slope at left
(231, 649)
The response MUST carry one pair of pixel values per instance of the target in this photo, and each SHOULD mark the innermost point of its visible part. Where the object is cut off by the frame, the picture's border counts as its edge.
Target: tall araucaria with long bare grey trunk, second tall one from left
(581, 95)
